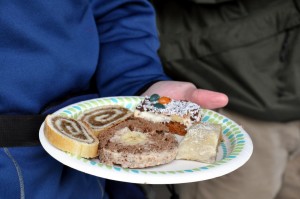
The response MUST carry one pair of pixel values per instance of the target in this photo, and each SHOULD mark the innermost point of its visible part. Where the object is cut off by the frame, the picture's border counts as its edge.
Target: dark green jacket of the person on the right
(248, 49)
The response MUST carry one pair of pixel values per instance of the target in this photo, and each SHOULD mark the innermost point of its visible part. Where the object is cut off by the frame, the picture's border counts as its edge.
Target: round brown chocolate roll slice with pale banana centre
(137, 143)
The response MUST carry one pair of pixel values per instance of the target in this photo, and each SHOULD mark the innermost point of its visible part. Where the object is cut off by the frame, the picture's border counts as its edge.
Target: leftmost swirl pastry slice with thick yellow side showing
(71, 136)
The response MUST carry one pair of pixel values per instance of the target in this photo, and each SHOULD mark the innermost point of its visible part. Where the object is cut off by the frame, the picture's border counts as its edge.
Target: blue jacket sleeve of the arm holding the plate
(128, 40)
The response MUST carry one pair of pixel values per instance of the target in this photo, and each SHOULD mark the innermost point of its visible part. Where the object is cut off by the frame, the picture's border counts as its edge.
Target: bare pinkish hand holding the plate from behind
(188, 91)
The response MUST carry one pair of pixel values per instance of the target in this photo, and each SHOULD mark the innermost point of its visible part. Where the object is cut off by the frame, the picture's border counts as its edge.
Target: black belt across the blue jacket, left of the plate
(20, 130)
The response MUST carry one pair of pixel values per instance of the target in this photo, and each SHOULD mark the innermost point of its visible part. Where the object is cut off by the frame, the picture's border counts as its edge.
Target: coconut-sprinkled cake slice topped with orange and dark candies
(178, 115)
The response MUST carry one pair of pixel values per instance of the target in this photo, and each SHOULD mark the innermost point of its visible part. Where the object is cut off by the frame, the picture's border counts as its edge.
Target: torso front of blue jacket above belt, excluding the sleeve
(48, 49)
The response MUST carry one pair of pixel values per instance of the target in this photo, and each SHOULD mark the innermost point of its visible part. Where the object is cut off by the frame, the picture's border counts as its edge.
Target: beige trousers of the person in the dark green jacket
(273, 171)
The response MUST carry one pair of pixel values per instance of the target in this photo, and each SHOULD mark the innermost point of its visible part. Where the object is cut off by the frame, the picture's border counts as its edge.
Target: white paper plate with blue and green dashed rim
(233, 152)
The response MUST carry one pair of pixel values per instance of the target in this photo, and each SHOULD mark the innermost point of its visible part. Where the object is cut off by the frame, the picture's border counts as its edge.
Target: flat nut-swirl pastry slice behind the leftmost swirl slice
(101, 118)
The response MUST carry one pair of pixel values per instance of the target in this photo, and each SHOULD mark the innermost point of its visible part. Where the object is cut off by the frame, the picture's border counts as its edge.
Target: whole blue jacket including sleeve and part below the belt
(52, 49)
